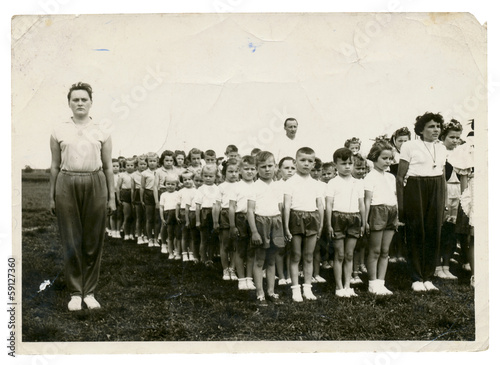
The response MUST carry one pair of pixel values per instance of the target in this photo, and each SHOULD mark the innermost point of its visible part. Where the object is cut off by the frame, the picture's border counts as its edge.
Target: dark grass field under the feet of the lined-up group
(146, 297)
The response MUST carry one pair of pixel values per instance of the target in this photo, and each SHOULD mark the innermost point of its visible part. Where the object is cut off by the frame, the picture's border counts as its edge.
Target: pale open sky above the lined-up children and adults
(208, 80)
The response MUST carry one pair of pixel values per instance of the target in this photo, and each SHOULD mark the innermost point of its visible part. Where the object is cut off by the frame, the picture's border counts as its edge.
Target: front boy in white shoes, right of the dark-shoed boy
(303, 220)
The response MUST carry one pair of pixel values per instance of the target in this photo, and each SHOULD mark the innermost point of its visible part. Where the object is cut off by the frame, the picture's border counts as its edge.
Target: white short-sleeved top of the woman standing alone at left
(81, 146)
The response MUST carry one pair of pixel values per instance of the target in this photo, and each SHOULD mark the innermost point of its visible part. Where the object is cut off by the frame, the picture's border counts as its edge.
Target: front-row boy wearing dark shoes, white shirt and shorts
(265, 221)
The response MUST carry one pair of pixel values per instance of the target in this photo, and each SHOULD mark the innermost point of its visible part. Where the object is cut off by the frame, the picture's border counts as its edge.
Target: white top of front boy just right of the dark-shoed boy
(304, 191)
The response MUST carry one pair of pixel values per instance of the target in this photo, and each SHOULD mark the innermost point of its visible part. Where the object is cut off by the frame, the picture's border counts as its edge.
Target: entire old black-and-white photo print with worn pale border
(216, 182)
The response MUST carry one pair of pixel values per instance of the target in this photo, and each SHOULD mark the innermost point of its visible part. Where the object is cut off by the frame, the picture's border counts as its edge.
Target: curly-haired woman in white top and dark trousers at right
(421, 190)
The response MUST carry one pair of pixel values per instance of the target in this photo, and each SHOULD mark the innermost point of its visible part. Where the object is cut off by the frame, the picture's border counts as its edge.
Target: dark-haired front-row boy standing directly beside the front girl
(345, 211)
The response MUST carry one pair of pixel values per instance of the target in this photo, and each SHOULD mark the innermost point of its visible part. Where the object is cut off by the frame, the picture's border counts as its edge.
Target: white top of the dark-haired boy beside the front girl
(346, 193)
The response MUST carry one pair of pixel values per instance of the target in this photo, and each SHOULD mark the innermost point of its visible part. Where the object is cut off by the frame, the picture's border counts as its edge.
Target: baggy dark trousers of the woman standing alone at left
(81, 200)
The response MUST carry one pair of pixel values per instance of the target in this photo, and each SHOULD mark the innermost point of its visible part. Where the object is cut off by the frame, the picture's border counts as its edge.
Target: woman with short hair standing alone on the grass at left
(81, 194)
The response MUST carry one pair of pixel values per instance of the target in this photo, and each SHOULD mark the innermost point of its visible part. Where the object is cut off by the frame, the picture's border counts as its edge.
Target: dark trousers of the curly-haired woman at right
(423, 206)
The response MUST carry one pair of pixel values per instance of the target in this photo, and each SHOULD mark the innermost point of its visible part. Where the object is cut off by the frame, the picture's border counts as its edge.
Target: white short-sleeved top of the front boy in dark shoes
(267, 198)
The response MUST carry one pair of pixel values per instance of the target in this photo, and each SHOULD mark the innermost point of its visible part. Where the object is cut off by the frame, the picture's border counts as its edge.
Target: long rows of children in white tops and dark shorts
(269, 217)
